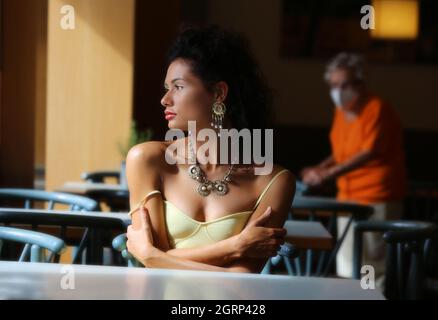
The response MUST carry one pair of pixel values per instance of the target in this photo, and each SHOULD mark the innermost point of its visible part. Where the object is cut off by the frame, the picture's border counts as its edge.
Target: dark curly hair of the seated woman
(217, 55)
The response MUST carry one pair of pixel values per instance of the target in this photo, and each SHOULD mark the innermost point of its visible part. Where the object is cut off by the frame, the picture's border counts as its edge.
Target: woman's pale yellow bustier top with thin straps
(186, 232)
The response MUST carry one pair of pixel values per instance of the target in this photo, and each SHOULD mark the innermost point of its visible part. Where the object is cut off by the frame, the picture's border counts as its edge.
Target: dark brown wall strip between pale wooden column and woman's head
(156, 25)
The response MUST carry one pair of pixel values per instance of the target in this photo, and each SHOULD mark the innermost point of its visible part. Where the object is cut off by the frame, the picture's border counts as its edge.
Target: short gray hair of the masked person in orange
(349, 61)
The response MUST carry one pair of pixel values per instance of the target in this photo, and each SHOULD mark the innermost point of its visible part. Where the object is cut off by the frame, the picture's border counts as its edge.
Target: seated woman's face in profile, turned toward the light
(186, 98)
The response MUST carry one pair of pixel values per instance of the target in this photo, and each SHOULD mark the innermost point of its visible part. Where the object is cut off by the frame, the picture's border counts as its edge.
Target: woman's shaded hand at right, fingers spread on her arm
(257, 241)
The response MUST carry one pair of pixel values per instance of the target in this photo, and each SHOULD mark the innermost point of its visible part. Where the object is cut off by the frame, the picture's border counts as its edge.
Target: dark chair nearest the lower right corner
(408, 244)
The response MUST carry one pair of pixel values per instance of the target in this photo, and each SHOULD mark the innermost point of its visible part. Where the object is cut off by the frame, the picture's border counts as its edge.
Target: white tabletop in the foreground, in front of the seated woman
(44, 281)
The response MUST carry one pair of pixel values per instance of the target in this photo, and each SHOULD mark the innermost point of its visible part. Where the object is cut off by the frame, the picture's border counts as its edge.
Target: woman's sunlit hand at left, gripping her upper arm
(140, 241)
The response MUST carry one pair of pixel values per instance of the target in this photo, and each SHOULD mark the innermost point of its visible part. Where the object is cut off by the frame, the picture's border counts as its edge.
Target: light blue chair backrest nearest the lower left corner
(34, 244)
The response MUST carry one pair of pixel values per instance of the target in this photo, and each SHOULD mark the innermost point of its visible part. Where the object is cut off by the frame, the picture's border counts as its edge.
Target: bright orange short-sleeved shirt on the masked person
(377, 128)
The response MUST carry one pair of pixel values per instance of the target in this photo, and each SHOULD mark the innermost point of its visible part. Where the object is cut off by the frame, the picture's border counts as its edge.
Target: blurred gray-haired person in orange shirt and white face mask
(367, 157)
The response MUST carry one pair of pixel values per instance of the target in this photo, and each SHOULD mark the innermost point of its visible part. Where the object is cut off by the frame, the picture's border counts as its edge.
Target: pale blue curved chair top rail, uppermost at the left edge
(77, 203)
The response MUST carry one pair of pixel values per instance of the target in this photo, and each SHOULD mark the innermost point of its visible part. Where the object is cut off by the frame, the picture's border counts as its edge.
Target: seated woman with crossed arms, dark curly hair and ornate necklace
(235, 225)
